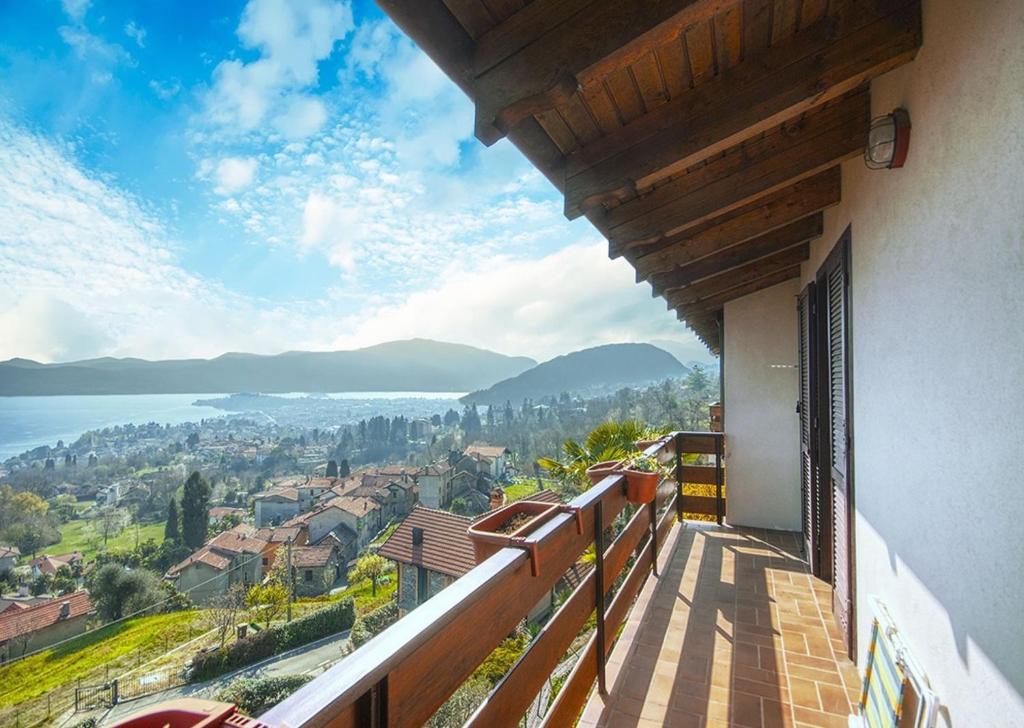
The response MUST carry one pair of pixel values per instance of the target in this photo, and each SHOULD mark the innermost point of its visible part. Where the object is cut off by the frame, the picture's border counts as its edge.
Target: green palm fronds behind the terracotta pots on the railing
(611, 441)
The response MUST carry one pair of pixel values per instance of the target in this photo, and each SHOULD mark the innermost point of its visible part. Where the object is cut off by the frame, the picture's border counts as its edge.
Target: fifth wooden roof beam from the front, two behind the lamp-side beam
(740, 255)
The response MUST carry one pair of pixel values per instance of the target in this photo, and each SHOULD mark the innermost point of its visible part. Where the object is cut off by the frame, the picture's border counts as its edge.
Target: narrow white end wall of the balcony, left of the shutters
(761, 424)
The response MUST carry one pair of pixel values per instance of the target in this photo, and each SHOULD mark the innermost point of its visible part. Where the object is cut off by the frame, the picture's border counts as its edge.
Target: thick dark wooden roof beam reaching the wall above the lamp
(741, 103)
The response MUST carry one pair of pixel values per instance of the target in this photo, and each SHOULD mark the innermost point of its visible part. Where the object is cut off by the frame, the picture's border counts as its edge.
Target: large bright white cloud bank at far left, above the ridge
(86, 270)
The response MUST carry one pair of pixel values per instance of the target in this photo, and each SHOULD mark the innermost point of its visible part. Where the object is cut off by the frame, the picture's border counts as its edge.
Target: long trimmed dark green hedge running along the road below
(323, 623)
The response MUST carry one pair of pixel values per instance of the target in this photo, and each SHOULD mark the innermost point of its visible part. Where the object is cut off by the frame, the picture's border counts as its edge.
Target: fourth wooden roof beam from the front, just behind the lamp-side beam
(805, 198)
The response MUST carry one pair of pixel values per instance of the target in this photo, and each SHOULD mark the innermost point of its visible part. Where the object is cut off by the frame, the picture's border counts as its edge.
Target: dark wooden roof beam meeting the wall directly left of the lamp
(759, 167)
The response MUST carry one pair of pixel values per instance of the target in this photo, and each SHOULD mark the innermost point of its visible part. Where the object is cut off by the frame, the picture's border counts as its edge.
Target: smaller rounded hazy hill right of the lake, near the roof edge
(588, 372)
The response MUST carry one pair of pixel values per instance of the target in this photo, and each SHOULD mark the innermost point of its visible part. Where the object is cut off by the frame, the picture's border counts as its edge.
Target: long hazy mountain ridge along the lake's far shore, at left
(416, 365)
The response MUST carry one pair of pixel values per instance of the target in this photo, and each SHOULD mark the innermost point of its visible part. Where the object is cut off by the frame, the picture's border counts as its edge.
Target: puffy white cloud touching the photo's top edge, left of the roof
(292, 38)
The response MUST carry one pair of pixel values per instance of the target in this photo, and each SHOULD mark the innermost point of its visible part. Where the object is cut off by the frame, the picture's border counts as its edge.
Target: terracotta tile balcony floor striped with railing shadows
(735, 632)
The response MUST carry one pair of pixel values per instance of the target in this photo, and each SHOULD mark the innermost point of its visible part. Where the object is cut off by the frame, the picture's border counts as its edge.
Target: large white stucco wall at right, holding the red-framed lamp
(938, 361)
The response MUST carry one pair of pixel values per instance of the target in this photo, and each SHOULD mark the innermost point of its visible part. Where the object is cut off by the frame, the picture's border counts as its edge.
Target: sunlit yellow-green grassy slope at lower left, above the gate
(90, 658)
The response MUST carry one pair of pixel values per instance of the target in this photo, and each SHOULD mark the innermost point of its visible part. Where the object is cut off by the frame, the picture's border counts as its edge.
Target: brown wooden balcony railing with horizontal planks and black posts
(404, 675)
